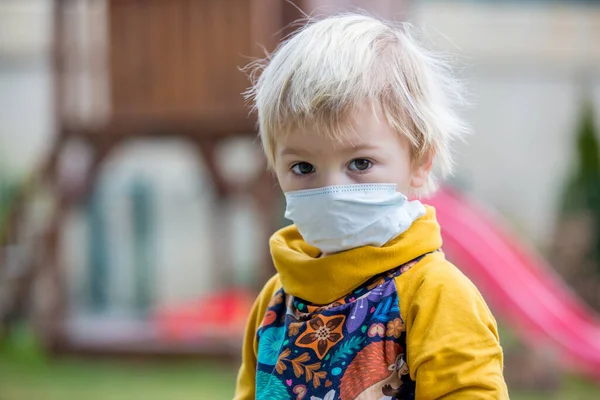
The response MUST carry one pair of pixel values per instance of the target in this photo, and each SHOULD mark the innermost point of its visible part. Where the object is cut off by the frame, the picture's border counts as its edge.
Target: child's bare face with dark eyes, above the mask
(373, 153)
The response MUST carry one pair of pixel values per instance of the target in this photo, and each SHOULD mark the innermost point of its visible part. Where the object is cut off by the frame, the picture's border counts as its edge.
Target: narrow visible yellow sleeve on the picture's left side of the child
(245, 387)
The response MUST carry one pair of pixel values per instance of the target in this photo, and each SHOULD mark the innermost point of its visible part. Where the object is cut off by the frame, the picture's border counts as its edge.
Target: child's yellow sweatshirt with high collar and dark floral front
(397, 321)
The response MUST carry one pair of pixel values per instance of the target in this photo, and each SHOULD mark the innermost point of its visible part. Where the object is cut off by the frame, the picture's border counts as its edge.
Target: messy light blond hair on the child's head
(316, 79)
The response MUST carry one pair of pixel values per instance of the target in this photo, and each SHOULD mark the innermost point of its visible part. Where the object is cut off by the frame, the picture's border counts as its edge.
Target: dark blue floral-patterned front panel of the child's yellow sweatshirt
(351, 348)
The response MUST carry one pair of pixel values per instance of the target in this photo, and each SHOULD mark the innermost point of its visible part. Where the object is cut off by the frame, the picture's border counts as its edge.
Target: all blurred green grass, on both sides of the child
(25, 374)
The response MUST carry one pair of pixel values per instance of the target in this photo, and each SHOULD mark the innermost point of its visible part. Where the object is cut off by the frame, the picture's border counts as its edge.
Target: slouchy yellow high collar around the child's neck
(324, 280)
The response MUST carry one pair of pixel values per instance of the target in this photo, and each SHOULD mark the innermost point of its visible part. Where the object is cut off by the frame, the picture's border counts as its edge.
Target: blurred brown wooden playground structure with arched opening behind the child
(127, 70)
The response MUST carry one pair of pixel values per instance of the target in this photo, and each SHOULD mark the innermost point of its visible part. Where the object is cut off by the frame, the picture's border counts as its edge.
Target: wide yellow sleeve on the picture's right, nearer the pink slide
(453, 349)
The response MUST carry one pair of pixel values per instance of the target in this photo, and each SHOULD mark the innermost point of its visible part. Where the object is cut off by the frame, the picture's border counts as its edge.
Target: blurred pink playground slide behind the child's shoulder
(518, 284)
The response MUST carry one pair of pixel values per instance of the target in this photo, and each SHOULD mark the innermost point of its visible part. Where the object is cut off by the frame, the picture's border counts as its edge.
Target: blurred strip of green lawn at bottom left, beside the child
(72, 379)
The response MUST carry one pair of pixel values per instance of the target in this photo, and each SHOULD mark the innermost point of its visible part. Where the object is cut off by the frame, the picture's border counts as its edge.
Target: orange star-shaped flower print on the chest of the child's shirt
(322, 333)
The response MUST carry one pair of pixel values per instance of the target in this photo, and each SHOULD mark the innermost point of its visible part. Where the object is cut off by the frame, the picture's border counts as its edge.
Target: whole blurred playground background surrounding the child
(135, 209)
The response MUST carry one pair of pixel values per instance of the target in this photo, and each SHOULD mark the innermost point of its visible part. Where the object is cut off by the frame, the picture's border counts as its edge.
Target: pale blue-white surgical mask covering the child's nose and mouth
(338, 218)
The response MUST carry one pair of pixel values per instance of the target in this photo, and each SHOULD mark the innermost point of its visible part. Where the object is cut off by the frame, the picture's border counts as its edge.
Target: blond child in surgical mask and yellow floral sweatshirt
(353, 116)
